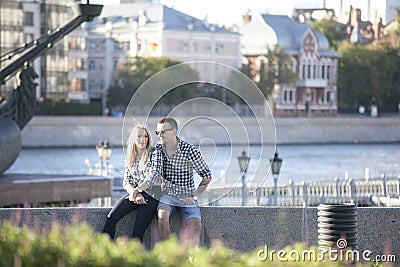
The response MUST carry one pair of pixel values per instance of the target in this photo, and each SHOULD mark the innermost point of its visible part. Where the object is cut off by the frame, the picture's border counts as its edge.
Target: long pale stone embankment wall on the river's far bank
(64, 131)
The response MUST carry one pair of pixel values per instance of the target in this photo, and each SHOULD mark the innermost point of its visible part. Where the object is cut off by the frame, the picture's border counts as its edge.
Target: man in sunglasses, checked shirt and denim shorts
(180, 159)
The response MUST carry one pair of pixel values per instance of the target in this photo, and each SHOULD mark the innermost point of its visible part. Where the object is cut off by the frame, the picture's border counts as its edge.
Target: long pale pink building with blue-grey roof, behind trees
(148, 30)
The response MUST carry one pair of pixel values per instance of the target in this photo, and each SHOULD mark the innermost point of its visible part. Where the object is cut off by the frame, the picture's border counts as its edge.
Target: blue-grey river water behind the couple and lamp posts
(300, 162)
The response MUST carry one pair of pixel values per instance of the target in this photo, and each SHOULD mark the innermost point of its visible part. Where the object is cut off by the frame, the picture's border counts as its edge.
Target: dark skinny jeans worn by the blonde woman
(144, 214)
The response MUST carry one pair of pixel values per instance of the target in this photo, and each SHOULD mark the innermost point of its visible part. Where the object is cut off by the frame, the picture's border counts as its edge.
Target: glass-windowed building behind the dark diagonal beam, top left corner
(21, 24)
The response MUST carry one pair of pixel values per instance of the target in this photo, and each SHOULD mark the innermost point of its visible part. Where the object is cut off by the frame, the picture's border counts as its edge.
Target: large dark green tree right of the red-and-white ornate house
(366, 73)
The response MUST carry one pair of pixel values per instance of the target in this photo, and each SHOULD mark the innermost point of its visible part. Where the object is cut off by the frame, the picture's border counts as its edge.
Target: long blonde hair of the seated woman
(132, 150)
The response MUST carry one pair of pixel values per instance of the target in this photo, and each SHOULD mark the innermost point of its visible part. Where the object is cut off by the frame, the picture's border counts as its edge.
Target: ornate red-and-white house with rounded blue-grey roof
(316, 66)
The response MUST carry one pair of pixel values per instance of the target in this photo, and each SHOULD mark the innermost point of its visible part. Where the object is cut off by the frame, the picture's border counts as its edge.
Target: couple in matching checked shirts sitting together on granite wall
(159, 179)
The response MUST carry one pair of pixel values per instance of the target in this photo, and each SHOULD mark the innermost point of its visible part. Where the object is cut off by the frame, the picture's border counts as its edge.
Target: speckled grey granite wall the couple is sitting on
(240, 228)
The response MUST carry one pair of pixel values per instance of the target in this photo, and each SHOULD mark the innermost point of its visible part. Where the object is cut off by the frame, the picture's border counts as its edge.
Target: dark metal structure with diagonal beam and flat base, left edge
(21, 190)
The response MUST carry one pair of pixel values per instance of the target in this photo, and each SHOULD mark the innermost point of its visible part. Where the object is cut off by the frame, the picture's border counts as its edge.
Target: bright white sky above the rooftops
(228, 12)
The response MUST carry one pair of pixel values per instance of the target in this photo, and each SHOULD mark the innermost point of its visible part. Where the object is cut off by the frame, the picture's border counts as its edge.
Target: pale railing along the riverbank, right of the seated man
(367, 192)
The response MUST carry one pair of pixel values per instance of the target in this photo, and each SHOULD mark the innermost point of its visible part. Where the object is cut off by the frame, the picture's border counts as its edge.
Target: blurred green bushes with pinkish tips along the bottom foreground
(76, 244)
